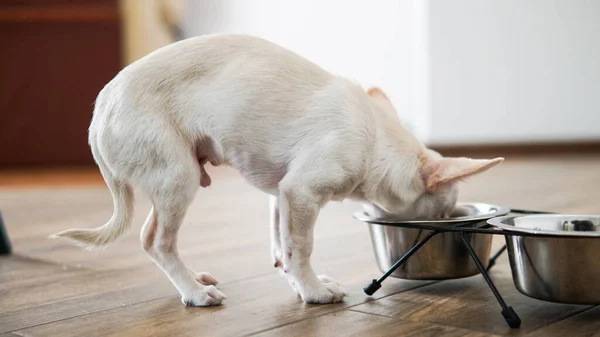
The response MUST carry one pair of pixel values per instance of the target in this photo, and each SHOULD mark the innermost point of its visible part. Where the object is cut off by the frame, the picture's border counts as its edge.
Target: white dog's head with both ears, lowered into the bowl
(422, 184)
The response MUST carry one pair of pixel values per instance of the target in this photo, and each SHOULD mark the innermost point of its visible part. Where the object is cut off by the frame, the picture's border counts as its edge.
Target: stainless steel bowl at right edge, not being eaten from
(556, 257)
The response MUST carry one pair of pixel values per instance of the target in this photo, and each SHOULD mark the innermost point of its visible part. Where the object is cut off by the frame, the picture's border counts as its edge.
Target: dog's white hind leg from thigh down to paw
(171, 198)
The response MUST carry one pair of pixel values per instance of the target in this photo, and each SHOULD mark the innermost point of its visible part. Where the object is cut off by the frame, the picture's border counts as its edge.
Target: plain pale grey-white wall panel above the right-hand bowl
(514, 70)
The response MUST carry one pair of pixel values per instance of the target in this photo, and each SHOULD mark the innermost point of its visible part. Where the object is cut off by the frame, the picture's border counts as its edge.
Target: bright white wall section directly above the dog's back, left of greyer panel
(370, 42)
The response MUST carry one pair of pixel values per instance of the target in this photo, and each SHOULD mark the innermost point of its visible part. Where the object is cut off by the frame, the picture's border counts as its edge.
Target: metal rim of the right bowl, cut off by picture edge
(500, 223)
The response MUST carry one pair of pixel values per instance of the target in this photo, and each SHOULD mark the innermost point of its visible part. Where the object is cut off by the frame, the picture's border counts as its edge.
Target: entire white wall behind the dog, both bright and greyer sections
(459, 72)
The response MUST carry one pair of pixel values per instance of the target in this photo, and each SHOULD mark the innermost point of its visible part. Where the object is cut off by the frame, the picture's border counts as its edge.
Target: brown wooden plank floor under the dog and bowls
(50, 288)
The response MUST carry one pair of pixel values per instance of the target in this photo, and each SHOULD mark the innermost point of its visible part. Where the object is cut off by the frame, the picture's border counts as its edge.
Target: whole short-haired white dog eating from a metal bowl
(290, 128)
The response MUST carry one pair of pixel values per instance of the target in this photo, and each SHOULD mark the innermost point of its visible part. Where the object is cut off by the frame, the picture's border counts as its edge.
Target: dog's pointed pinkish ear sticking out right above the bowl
(438, 172)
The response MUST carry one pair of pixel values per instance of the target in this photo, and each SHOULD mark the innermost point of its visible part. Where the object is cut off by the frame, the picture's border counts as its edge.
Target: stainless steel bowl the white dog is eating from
(442, 257)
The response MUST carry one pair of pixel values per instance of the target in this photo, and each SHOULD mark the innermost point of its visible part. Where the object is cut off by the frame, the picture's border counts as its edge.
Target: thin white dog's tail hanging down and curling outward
(120, 221)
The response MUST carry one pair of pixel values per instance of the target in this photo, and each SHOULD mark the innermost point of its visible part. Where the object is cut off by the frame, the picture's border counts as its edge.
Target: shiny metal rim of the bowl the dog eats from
(498, 211)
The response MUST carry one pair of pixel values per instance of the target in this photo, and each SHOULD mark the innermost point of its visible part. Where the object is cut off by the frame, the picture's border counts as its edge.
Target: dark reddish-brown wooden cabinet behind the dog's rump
(55, 56)
